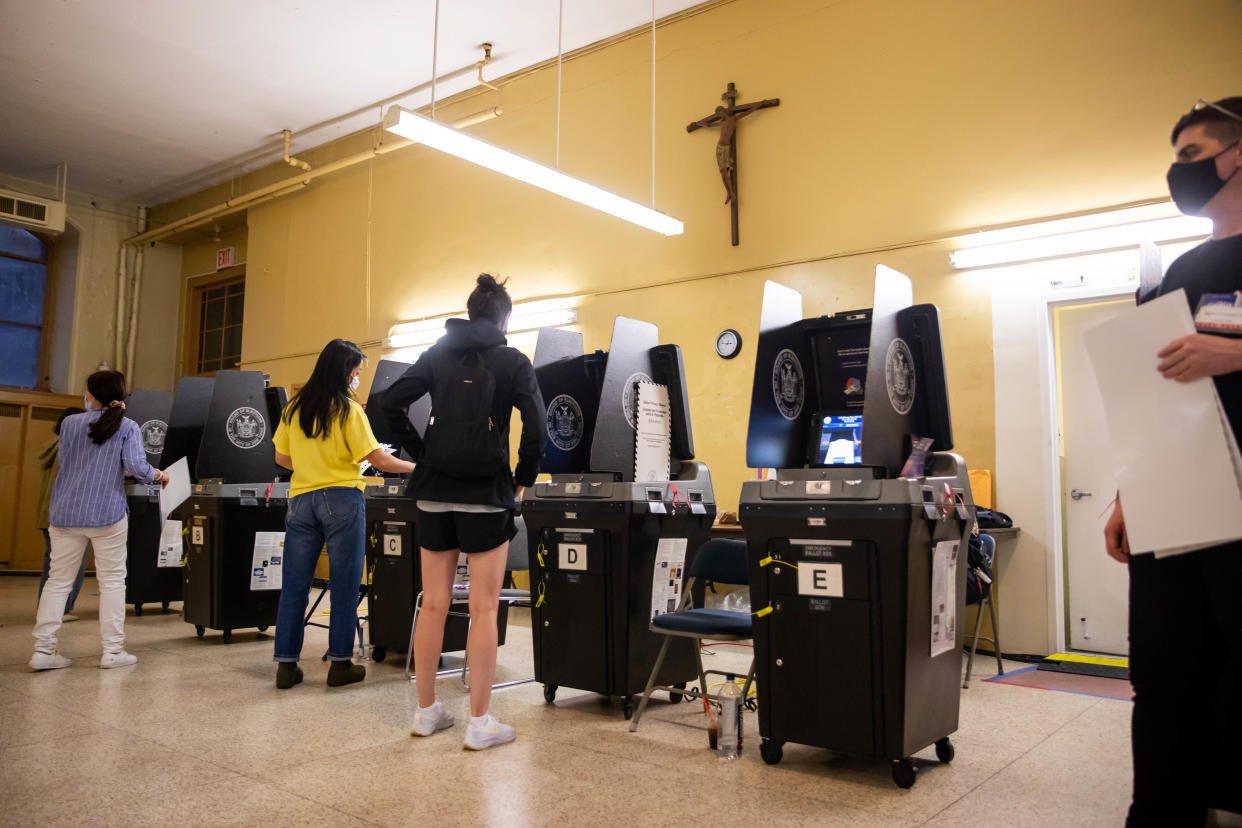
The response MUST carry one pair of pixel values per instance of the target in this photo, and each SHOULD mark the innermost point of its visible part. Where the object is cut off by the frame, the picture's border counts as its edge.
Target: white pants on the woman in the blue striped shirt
(69, 547)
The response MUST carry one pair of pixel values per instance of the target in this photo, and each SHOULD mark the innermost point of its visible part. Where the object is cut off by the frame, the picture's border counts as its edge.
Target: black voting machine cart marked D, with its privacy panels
(594, 531)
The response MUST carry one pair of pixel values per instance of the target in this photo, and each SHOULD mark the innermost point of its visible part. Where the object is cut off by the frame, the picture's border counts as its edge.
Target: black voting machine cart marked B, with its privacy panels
(239, 492)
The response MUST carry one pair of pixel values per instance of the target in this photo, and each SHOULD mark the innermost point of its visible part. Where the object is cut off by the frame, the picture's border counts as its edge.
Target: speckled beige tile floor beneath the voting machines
(198, 734)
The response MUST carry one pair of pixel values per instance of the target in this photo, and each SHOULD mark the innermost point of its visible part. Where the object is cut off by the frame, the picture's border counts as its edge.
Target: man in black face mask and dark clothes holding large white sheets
(1185, 615)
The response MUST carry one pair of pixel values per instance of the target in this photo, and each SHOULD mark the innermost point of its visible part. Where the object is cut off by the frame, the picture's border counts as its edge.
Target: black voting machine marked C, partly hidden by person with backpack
(393, 563)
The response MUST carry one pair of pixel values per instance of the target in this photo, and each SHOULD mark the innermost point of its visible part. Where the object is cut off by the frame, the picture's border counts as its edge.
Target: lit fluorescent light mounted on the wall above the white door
(1084, 241)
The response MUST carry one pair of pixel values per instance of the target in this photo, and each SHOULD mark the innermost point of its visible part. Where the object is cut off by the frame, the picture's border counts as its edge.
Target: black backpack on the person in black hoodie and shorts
(461, 440)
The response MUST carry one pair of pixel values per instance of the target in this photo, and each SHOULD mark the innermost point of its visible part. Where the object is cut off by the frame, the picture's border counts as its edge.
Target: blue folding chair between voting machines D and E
(720, 562)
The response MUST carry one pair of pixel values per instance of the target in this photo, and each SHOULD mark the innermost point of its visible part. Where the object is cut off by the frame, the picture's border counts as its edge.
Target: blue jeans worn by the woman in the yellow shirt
(335, 516)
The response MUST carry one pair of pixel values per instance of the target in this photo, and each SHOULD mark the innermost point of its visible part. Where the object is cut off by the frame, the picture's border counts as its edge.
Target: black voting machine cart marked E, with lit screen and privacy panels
(846, 562)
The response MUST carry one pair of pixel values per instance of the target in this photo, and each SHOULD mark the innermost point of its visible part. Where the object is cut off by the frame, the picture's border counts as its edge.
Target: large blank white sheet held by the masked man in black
(1174, 456)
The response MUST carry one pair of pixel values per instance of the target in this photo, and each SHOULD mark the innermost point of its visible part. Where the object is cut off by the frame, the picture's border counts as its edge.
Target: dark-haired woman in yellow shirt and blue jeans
(324, 438)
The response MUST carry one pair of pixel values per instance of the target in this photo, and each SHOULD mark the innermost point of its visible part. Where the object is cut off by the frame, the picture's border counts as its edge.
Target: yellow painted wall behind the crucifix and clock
(902, 122)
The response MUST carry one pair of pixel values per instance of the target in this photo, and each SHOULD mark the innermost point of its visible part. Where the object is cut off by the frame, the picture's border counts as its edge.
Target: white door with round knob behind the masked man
(1097, 588)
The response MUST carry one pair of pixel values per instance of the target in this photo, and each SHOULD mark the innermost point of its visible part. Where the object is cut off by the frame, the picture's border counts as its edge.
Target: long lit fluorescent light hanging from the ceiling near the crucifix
(446, 140)
